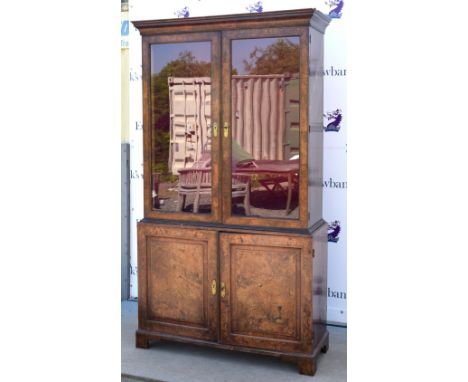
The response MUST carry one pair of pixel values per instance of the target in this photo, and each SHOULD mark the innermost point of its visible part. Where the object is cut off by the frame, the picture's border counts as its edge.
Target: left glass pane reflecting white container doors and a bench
(181, 127)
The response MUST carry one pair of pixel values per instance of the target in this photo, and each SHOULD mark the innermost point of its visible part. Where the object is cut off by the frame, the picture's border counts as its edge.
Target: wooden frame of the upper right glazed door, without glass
(227, 37)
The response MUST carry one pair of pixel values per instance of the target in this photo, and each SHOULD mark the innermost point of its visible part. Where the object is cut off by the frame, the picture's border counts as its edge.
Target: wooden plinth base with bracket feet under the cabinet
(306, 362)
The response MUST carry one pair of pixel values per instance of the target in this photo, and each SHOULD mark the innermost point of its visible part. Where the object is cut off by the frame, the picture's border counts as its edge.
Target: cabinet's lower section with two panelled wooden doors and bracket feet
(241, 290)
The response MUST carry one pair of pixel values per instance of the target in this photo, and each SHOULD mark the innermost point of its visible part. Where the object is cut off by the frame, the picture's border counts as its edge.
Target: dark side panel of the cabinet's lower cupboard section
(319, 310)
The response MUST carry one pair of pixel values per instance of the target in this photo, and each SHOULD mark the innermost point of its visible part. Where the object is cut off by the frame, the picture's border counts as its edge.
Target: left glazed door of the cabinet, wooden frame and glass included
(181, 93)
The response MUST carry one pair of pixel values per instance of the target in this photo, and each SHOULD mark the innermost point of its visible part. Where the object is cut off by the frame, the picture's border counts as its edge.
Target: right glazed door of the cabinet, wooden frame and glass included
(265, 129)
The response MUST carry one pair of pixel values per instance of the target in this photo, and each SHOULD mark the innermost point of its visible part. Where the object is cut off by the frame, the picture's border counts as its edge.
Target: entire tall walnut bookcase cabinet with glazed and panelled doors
(232, 250)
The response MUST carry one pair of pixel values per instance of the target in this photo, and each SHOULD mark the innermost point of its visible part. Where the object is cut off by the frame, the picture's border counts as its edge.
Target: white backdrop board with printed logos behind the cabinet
(335, 148)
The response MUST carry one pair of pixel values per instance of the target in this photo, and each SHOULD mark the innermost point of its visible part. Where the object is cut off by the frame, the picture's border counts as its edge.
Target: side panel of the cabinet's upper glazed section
(315, 125)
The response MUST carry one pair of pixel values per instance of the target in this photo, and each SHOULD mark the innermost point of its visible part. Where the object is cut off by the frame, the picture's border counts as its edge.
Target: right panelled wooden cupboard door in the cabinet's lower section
(266, 291)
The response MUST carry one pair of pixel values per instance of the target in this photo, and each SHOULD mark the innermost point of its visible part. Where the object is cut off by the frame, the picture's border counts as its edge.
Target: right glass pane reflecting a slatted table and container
(265, 127)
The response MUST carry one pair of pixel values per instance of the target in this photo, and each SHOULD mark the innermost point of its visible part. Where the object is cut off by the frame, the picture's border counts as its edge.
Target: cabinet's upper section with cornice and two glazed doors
(232, 111)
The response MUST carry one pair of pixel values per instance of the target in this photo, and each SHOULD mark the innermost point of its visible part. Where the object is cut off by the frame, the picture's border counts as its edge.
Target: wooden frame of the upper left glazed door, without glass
(147, 41)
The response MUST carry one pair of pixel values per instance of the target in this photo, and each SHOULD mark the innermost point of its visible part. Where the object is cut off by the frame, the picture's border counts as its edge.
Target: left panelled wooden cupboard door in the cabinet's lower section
(177, 278)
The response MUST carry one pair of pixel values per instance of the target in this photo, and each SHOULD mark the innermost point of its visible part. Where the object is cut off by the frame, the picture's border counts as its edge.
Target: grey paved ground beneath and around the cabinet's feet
(176, 362)
